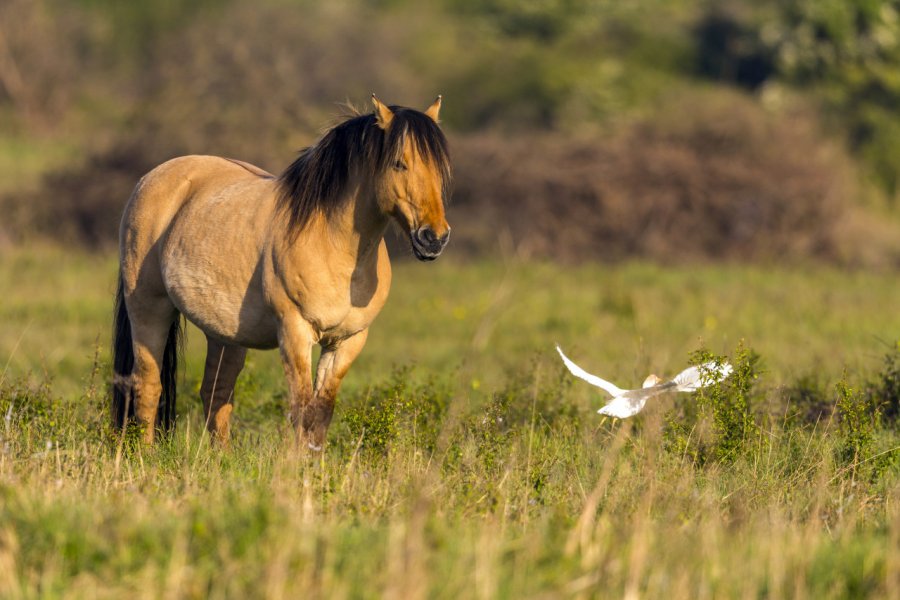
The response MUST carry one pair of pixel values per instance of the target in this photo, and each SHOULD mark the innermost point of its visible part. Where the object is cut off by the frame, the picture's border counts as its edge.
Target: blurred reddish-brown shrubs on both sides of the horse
(712, 176)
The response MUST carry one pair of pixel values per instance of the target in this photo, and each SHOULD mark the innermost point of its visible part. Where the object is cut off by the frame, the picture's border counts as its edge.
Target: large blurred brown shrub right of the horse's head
(713, 176)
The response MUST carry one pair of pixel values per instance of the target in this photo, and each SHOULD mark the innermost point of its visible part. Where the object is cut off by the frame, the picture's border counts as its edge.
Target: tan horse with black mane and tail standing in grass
(262, 261)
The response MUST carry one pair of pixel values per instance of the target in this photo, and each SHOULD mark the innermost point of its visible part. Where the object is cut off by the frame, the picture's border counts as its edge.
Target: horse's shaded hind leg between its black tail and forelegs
(223, 365)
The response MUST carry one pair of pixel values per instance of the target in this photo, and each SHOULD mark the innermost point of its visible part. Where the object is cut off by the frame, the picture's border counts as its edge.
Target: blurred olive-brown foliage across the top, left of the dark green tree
(531, 64)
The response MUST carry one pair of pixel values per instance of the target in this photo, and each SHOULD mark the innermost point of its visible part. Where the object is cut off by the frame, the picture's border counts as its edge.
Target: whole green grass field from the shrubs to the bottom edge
(463, 461)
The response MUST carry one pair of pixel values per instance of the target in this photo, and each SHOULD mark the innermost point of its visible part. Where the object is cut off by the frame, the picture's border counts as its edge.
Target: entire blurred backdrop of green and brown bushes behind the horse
(703, 109)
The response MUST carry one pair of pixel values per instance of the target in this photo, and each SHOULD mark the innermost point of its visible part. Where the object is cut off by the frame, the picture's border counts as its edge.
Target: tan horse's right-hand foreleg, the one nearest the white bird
(333, 366)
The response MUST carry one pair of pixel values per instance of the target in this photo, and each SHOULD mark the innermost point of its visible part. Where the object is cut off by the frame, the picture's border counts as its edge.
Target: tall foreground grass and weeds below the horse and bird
(512, 497)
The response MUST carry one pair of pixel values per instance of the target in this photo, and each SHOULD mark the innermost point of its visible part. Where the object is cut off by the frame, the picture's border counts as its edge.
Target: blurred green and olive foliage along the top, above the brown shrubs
(537, 63)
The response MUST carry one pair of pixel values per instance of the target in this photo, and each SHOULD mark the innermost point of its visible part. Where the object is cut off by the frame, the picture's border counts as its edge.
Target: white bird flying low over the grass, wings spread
(627, 403)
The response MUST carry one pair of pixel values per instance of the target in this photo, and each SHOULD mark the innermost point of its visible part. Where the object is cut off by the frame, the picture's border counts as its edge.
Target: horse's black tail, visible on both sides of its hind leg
(123, 363)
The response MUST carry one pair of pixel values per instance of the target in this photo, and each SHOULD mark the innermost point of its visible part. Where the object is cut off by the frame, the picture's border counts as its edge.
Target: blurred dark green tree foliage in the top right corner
(844, 53)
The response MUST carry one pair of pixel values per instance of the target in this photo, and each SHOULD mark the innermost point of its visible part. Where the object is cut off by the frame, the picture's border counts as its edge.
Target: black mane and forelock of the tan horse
(317, 180)
